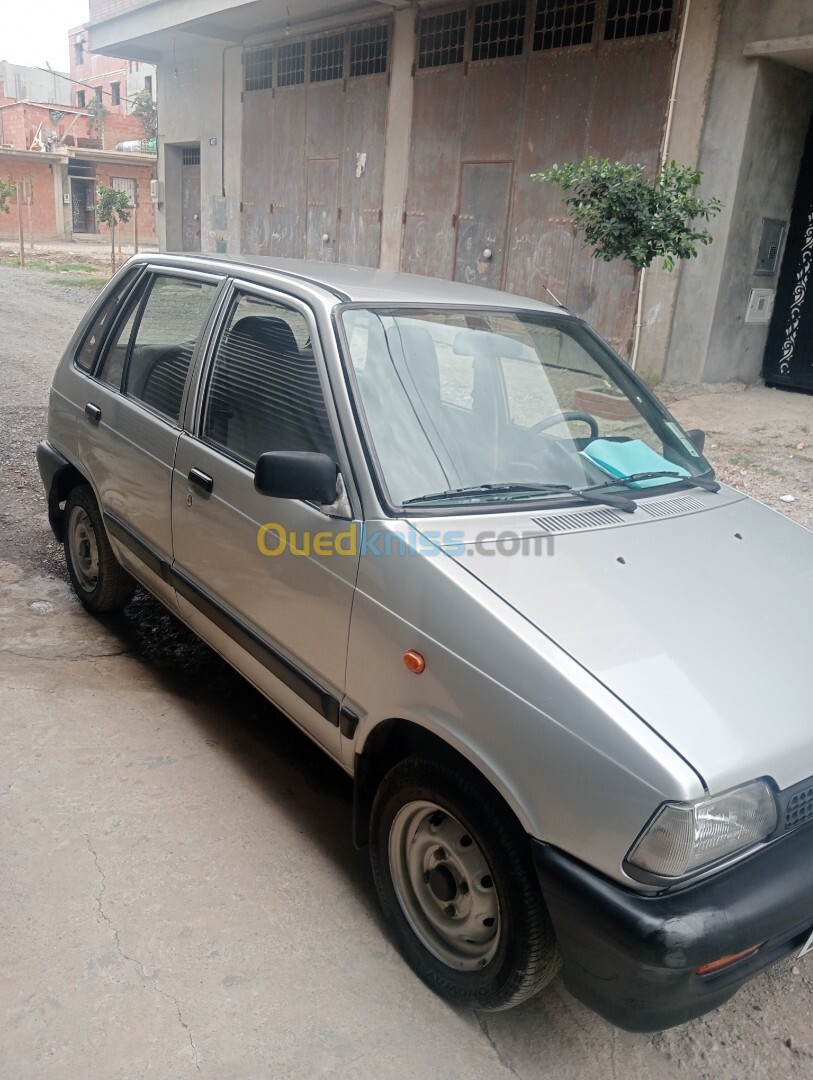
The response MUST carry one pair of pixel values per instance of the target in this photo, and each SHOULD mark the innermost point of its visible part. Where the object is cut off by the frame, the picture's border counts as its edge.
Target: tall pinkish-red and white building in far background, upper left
(115, 82)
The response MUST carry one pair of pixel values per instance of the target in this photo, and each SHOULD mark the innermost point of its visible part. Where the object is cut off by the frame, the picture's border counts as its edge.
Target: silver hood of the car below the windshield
(702, 624)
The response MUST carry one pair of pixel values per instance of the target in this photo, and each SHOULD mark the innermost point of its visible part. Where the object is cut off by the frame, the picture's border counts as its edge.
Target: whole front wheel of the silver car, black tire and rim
(439, 900)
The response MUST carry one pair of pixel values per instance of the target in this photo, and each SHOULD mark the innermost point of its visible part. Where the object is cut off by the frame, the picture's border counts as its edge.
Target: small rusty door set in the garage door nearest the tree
(483, 219)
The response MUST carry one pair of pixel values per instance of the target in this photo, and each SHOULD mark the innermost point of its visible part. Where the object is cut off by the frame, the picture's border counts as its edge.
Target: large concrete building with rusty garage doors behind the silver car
(405, 134)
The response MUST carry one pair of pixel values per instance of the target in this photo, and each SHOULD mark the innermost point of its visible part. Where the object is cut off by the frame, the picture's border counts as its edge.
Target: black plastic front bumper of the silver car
(633, 958)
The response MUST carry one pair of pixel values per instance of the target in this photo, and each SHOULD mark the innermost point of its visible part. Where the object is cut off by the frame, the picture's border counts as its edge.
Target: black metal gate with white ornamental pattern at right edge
(789, 360)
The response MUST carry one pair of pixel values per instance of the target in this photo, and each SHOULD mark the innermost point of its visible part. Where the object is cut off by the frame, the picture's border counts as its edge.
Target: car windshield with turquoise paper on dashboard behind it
(468, 408)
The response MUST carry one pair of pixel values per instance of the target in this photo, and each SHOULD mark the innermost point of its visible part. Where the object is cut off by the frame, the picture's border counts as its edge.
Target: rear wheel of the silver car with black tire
(99, 579)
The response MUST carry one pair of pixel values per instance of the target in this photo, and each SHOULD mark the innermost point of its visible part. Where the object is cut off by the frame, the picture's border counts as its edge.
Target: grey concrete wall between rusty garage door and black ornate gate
(753, 141)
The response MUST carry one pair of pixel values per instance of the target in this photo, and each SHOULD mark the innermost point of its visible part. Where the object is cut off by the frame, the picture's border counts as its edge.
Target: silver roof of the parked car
(357, 285)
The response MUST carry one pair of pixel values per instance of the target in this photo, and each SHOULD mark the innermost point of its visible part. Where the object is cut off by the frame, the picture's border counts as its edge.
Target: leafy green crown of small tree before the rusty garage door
(626, 215)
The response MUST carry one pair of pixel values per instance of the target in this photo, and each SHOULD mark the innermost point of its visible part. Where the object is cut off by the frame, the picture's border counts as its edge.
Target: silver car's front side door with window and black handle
(268, 582)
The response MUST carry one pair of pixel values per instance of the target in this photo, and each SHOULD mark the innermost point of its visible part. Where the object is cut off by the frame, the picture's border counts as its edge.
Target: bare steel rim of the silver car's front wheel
(445, 886)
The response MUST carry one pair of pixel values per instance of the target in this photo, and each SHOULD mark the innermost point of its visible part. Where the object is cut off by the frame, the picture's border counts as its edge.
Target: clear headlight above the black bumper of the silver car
(684, 838)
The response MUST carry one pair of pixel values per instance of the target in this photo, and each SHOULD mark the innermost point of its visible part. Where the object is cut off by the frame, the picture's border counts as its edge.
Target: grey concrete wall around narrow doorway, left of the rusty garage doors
(191, 94)
